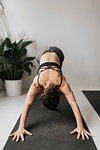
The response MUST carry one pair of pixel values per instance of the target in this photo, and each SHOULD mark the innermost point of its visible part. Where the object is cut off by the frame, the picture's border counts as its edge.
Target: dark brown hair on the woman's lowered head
(50, 98)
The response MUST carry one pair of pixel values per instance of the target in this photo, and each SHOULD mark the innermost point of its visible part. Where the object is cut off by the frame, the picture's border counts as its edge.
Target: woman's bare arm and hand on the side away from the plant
(67, 91)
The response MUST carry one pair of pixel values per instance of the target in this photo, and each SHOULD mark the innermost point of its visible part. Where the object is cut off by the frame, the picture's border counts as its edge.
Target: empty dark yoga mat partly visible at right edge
(94, 99)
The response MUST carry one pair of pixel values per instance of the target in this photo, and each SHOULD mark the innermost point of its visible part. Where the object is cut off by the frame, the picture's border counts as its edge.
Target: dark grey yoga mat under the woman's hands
(50, 129)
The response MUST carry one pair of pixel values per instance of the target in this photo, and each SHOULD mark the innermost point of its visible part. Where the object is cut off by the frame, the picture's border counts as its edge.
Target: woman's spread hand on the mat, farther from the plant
(81, 132)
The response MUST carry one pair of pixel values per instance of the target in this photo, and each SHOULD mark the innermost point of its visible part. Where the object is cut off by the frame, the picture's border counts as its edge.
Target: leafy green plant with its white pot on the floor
(13, 63)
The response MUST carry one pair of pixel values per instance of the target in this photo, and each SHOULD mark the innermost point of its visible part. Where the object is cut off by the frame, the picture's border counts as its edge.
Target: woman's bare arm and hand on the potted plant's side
(34, 89)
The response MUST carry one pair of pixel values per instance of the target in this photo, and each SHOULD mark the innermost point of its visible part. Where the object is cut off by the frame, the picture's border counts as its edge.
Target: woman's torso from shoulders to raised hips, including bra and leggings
(50, 62)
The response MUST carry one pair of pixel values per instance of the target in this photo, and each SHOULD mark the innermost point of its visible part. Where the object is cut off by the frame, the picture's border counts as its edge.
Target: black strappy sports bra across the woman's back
(49, 65)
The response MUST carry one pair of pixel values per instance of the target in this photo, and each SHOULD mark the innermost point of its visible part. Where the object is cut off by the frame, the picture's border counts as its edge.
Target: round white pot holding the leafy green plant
(13, 87)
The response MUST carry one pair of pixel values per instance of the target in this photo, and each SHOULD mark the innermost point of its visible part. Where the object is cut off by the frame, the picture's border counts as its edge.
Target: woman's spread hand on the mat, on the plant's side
(19, 133)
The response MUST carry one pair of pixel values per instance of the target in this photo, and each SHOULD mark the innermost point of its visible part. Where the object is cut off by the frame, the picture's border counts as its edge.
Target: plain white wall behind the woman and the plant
(72, 25)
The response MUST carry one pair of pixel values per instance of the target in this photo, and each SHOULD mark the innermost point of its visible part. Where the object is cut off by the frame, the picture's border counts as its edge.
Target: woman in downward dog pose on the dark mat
(50, 80)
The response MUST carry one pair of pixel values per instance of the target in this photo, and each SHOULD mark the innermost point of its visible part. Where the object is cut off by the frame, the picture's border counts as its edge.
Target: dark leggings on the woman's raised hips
(51, 49)
